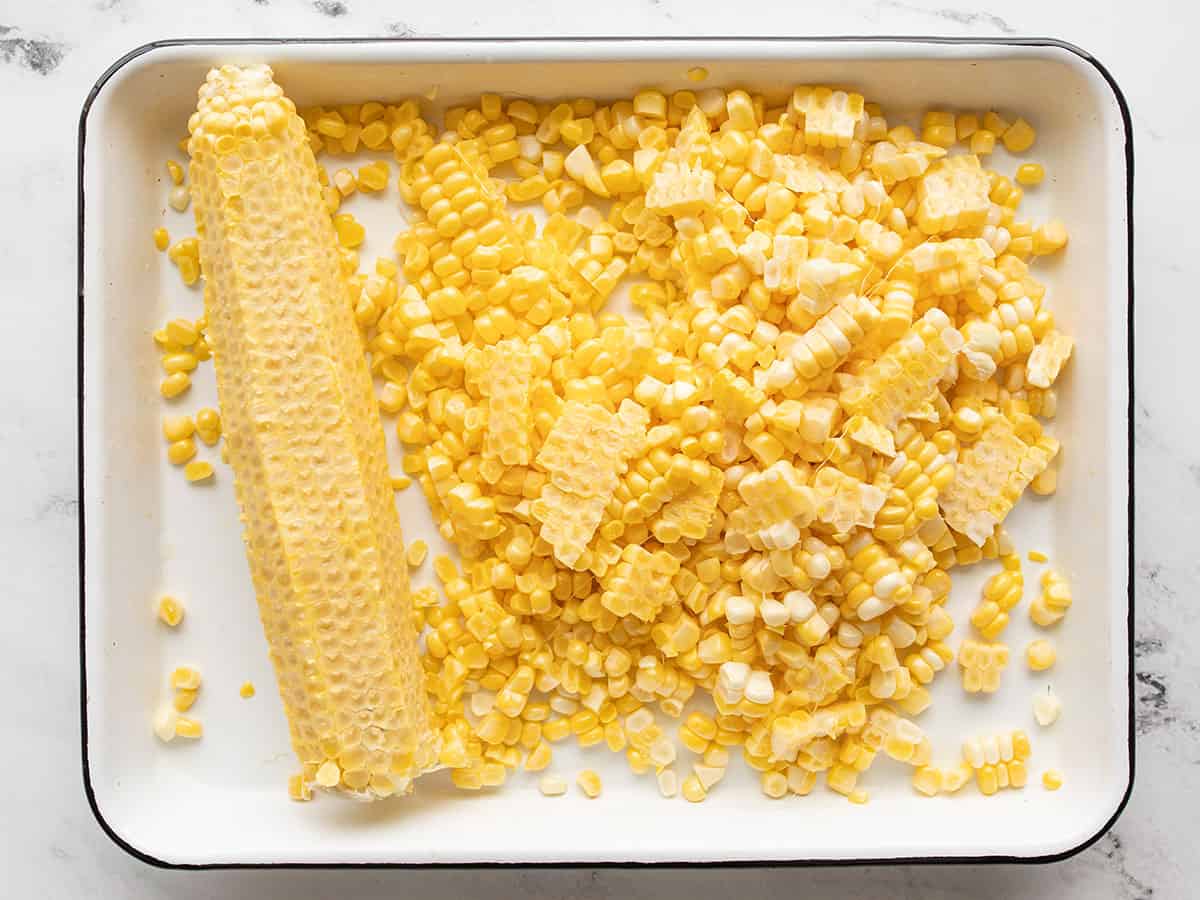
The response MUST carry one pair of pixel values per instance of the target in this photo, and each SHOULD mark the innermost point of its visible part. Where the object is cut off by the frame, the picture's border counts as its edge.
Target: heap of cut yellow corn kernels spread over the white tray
(753, 491)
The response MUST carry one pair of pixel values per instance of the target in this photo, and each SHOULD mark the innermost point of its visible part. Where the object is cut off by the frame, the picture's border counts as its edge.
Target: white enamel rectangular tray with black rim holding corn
(223, 801)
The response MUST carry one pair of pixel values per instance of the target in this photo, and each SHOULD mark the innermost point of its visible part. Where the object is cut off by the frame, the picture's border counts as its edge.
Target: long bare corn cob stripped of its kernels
(307, 445)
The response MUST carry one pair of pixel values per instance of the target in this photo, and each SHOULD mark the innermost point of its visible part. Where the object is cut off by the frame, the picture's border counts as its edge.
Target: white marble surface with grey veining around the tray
(52, 51)
